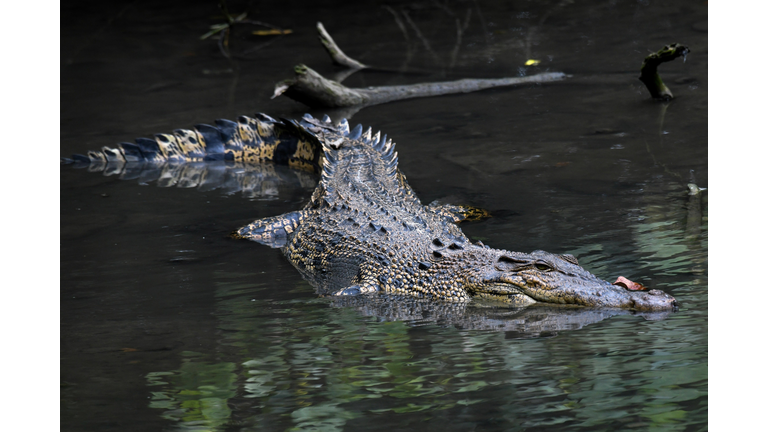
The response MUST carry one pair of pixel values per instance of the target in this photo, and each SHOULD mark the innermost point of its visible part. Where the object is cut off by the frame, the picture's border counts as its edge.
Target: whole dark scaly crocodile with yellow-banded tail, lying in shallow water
(364, 230)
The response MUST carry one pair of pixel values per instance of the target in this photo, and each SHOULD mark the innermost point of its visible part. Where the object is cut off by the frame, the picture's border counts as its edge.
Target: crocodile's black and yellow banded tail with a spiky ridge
(249, 140)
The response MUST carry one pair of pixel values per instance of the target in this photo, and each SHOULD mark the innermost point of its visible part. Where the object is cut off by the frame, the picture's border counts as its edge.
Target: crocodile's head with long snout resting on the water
(542, 277)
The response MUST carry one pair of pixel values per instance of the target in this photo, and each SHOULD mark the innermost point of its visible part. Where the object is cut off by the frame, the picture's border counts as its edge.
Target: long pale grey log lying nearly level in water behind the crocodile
(312, 89)
